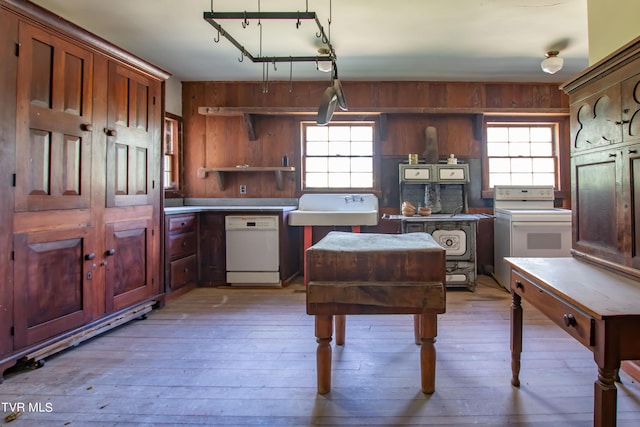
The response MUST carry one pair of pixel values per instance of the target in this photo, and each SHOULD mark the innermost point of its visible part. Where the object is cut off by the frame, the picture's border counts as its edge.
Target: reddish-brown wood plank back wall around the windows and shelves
(453, 108)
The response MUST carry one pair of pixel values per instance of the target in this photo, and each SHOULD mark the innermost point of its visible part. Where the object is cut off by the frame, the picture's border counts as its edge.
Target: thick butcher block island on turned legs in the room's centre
(368, 273)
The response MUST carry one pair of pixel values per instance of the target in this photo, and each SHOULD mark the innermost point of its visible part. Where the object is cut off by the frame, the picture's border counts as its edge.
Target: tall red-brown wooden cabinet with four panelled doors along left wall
(80, 136)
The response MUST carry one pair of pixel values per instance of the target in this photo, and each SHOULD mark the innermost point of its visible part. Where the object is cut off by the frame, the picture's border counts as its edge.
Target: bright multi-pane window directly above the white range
(522, 154)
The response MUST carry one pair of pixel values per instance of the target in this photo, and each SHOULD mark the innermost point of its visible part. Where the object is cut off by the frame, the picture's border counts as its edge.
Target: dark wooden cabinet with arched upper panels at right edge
(605, 159)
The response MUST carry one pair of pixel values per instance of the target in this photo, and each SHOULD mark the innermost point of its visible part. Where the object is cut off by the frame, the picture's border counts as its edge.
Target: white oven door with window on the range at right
(541, 239)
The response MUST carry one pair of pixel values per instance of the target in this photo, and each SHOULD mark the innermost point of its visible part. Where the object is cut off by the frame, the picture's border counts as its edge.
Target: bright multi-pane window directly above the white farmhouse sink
(338, 155)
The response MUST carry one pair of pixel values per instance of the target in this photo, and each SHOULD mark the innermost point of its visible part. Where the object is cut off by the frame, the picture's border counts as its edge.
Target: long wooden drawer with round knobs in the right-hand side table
(577, 324)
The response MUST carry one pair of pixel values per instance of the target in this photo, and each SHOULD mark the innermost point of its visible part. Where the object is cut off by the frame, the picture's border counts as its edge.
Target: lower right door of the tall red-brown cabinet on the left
(130, 263)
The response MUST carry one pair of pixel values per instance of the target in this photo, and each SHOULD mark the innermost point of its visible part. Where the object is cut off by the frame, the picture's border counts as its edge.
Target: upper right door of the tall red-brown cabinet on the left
(133, 137)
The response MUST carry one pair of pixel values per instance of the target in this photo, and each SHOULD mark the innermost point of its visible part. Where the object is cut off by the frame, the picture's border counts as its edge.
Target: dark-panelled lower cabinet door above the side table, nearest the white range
(597, 197)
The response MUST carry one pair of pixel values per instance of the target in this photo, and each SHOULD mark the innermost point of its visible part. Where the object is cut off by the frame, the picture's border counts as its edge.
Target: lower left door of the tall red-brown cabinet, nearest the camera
(53, 272)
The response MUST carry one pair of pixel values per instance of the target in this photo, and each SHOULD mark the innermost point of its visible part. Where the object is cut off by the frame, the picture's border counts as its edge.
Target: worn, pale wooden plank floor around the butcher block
(246, 357)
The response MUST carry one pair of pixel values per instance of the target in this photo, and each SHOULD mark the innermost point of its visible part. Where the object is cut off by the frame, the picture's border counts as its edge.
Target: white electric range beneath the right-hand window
(527, 225)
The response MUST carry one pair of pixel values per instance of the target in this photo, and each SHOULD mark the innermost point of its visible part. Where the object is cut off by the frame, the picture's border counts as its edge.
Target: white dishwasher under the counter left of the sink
(252, 250)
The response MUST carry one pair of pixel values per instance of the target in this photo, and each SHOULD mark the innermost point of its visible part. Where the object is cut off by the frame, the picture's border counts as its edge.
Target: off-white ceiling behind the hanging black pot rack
(429, 40)
